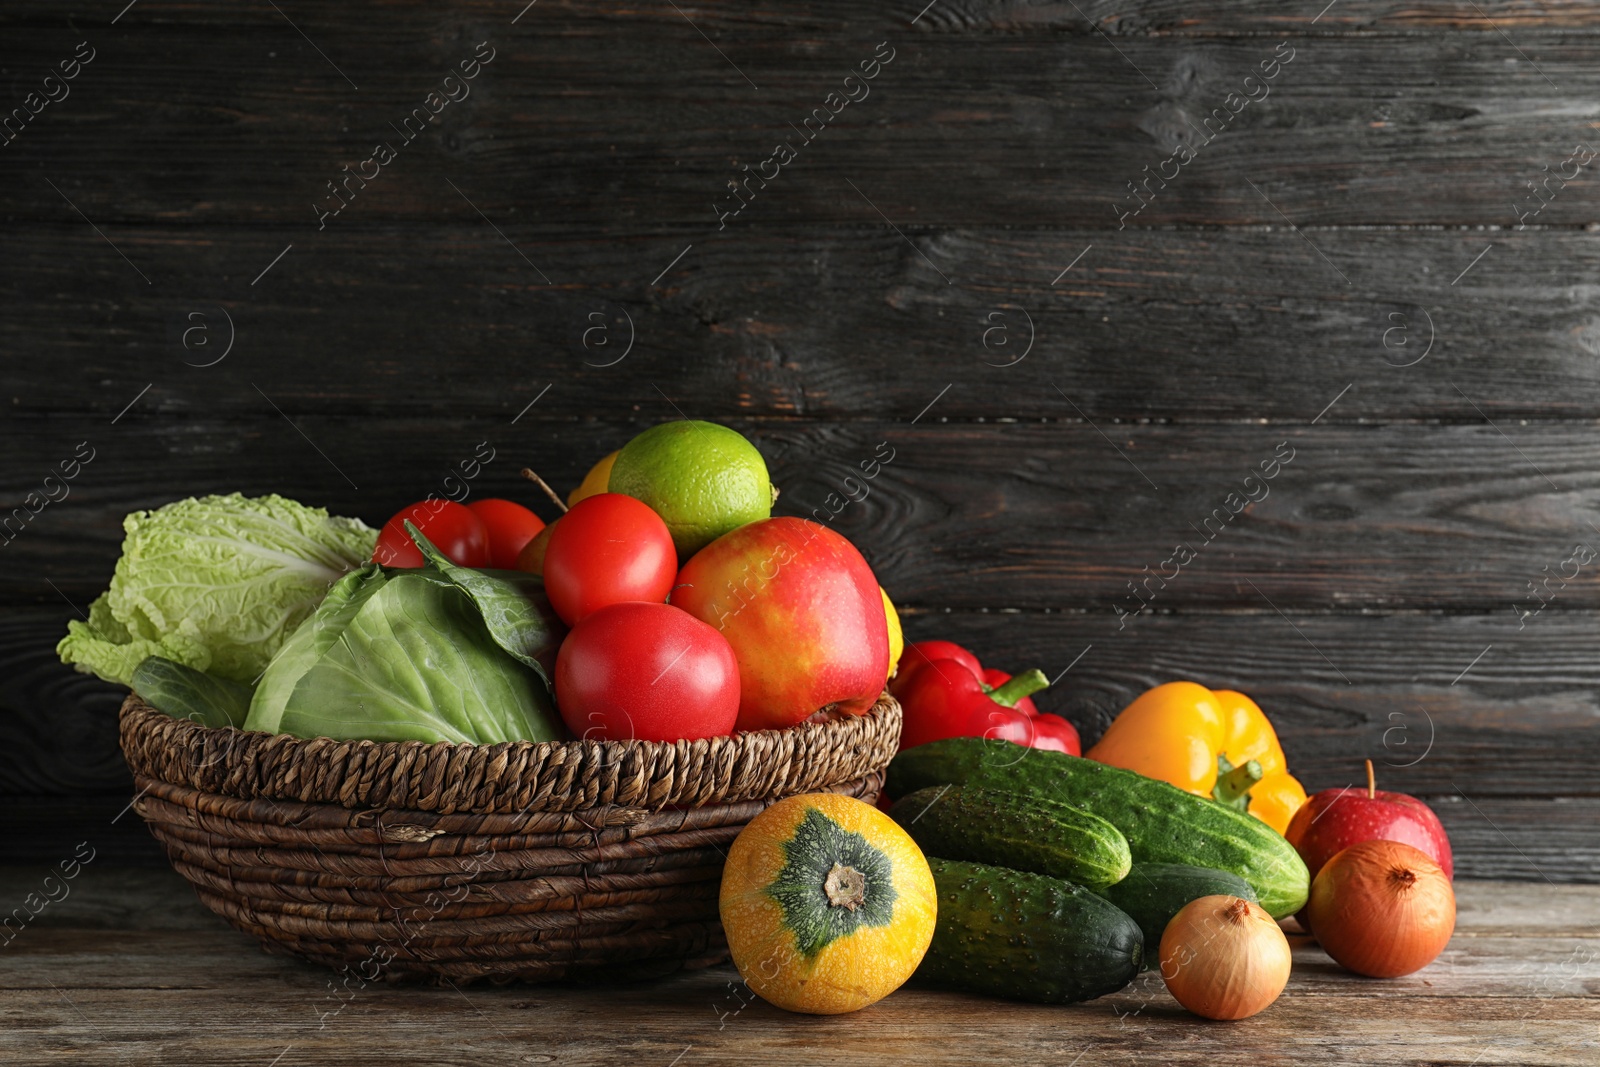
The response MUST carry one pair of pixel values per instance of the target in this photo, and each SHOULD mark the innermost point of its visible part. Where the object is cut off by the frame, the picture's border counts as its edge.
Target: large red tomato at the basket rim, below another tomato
(649, 673)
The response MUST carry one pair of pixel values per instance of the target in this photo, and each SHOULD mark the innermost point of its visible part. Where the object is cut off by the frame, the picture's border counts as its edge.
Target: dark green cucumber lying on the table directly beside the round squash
(1025, 937)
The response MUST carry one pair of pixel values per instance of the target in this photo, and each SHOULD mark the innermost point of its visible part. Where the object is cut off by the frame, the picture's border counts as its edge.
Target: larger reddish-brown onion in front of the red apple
(1383, 909)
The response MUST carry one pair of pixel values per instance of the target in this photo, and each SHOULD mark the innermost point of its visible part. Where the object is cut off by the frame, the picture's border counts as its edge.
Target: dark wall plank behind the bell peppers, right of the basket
(1442, 705)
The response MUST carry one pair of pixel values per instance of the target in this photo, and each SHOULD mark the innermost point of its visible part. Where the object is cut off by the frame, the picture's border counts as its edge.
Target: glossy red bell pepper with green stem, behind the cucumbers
(946, 693)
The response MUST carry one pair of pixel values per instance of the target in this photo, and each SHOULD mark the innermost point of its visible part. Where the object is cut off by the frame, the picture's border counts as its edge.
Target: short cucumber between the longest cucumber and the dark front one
(1017, 831)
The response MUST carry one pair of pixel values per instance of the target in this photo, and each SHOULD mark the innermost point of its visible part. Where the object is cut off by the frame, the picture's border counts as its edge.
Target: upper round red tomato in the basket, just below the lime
(609, 549)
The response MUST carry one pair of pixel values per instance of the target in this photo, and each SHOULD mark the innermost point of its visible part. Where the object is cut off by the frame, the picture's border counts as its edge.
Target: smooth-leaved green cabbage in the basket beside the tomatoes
(438, 653)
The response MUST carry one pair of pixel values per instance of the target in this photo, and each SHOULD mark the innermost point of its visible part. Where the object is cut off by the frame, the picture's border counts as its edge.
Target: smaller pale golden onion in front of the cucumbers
(1225, 957)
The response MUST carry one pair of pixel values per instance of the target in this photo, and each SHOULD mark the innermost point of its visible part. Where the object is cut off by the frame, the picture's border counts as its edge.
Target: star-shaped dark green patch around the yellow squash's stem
(833, 884)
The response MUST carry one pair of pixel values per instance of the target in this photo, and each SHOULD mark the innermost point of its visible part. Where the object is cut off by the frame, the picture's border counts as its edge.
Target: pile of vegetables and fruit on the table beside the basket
(1052, 877)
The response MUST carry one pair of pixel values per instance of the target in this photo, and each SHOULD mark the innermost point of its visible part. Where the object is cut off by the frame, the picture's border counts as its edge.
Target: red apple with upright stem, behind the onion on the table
(1338, 818)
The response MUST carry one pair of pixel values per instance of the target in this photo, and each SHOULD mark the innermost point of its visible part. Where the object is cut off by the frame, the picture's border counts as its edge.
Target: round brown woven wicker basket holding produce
(463, 863)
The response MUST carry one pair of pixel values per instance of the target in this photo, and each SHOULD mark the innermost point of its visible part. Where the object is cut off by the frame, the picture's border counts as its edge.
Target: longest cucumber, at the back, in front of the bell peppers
(1162, 823)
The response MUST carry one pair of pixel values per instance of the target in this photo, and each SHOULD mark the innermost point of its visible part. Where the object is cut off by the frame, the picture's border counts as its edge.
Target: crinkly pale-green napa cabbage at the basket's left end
(215, 585)
